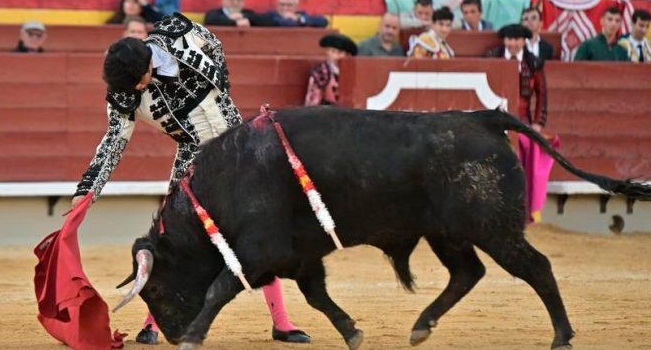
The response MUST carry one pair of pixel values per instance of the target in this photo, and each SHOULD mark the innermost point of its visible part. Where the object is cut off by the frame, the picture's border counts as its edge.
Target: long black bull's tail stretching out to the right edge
(632, 189)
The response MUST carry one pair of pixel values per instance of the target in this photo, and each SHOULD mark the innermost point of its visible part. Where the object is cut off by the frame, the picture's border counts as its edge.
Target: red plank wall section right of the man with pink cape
(602, 112)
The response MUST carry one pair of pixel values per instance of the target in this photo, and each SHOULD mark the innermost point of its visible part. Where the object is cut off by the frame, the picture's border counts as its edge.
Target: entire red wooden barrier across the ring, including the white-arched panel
(52, 109)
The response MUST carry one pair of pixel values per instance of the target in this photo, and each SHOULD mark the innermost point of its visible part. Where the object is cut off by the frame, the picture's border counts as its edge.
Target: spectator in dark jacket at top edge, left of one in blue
(232, 13)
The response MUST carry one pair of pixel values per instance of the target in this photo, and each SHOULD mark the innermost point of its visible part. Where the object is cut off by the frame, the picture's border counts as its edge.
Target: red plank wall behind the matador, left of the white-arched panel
(53, 113)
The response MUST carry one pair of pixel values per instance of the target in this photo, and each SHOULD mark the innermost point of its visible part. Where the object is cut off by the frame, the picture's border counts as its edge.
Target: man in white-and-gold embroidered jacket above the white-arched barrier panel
(432, 44)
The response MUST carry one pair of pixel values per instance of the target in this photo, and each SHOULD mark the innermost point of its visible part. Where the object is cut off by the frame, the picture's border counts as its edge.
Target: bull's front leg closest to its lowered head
(222, 290)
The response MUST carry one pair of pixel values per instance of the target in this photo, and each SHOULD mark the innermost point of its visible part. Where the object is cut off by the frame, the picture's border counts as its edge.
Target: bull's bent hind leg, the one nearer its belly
(465, 270)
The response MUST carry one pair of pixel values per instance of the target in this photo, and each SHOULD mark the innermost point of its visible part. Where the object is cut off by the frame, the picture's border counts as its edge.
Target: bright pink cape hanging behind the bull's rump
(537, 166)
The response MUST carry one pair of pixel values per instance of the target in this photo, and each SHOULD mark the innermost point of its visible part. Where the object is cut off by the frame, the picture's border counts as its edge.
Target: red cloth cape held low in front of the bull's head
(70, 309)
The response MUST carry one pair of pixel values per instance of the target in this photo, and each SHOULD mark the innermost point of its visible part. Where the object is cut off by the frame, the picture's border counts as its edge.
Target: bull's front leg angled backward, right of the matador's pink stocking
(311, 282)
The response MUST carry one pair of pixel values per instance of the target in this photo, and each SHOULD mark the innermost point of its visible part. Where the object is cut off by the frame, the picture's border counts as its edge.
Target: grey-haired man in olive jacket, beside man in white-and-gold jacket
(386, 42)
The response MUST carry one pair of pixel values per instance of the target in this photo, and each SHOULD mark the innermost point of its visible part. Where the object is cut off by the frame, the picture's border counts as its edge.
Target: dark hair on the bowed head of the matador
(127, 60)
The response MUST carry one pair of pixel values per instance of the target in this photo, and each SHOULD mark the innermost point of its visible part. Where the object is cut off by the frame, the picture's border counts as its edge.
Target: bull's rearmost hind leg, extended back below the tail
(523, 261)
